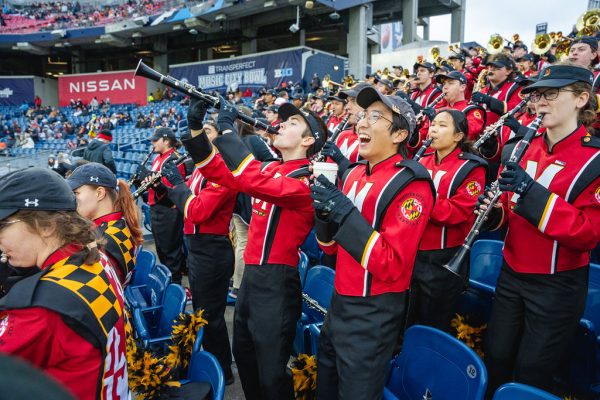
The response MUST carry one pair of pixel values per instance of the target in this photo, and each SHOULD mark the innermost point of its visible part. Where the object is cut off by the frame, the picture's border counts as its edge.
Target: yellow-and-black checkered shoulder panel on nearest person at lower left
(90, 283)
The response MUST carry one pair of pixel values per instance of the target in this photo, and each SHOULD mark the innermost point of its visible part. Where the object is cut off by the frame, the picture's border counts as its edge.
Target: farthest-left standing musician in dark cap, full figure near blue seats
(167, 221)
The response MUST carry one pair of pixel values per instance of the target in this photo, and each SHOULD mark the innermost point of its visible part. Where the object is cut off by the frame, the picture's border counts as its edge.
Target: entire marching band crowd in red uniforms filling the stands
(417, 156)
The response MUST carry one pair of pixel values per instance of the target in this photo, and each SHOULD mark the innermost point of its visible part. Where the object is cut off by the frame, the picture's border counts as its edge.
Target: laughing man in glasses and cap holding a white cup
(373, 266)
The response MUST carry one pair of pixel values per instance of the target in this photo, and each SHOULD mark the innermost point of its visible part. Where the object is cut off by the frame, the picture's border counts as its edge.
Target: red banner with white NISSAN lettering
(119, 87)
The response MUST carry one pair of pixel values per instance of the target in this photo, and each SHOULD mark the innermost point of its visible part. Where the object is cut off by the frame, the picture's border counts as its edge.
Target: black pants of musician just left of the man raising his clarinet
(210, 266)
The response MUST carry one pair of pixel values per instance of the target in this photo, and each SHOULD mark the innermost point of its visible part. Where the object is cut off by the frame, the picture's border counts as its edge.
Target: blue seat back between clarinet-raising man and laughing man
(319, 286)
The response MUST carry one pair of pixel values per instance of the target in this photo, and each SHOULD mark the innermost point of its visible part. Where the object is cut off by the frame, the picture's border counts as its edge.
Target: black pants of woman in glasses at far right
(534, 317)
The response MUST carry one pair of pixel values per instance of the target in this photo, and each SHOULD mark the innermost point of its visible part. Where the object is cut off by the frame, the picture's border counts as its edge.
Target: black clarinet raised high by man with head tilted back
(183, 87)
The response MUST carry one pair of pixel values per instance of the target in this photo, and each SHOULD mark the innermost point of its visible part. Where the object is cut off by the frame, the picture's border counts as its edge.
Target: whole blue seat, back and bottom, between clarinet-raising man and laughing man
(319, 287)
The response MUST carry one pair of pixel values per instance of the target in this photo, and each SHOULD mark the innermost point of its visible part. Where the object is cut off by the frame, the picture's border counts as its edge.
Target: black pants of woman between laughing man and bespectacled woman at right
(434, 290)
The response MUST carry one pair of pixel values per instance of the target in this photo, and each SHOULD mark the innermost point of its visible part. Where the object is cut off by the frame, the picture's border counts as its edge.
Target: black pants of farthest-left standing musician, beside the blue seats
(167, 229)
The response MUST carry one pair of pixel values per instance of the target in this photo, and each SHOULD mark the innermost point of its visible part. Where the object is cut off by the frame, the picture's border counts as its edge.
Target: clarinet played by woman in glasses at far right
(454, 264)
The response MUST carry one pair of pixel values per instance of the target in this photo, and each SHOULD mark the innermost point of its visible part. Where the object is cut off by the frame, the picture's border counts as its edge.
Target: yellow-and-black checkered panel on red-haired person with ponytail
(119, 244)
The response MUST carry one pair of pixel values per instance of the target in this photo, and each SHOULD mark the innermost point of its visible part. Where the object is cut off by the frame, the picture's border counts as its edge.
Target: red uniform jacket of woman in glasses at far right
(557, 224)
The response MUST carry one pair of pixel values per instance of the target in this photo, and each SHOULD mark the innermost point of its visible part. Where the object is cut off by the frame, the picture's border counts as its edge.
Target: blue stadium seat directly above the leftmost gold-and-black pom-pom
(154, 325)
